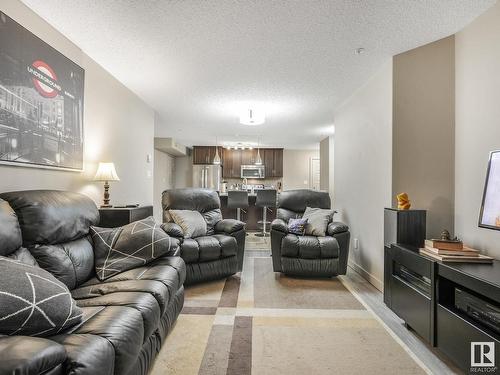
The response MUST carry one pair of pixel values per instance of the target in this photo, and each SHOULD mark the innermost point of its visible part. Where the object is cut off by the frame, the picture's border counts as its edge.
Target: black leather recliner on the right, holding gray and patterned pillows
(307, 256)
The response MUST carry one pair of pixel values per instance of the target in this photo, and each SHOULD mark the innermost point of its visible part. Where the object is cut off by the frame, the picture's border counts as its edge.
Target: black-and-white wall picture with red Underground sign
(41, 102)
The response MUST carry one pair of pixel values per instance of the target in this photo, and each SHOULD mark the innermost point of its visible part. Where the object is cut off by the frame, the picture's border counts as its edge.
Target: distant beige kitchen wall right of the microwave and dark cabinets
(296, 168)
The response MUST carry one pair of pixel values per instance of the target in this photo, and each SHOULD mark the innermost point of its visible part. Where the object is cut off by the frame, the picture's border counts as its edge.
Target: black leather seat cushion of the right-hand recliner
(309, 247)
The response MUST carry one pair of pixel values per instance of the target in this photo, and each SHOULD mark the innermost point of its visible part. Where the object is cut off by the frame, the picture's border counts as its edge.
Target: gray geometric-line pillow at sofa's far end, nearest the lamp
(120, 249)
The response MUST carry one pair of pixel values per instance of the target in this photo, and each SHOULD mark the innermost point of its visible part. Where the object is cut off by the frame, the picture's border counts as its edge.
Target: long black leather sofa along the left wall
(126, 318)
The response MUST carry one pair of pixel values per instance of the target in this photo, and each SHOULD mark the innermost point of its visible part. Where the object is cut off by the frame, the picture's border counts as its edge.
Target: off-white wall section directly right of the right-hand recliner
(363, 170)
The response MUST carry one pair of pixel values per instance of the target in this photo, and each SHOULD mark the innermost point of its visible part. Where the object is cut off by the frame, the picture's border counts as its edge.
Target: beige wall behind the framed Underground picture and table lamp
(118, 127)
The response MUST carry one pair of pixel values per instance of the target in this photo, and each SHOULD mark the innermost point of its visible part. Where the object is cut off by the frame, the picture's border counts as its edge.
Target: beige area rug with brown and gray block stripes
(260, 322)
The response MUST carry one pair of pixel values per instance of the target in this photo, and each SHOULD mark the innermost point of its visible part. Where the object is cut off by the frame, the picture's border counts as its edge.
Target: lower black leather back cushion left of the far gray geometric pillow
(70, 262)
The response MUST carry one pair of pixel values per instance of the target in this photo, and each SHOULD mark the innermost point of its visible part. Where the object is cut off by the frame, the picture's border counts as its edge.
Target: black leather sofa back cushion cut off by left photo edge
(10, 231)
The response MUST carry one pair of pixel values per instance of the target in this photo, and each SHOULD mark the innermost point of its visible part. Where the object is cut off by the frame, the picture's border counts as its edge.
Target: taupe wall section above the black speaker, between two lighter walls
(424, 131)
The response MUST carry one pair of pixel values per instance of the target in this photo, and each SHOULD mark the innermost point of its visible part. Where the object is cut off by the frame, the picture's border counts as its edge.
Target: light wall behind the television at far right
(477, 69)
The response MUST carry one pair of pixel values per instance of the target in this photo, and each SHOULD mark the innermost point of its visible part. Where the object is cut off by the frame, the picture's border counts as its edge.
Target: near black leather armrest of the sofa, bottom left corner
(29, 355)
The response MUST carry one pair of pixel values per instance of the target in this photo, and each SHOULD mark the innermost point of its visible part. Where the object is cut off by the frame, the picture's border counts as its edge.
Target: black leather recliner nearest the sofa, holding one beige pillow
(218, 254)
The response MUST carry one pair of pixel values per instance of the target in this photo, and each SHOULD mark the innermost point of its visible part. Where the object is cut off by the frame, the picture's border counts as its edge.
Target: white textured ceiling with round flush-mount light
(197, 62)
